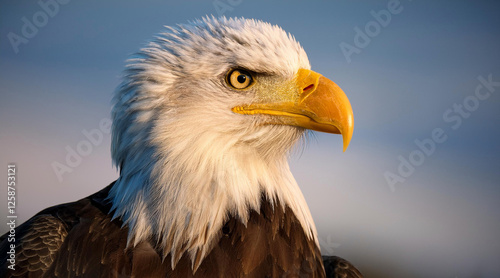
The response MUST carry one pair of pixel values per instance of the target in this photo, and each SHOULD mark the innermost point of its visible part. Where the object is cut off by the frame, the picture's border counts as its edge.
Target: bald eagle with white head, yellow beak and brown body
(202, 125)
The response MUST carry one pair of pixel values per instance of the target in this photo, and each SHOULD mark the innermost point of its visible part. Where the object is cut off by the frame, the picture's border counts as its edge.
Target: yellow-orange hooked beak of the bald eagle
(319, 105)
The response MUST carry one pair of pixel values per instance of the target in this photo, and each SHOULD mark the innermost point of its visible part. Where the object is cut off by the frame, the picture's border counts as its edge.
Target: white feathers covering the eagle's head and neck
(187, 161)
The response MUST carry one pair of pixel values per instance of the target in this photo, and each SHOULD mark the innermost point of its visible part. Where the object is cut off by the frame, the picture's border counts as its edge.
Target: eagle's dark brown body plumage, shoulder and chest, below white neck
(80, 240)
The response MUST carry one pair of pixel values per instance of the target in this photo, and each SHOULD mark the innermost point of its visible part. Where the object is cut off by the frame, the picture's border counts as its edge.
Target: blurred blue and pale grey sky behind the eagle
(442, 221)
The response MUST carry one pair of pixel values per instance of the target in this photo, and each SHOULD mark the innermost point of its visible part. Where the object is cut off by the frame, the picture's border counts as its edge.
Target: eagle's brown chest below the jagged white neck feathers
(271, 244)
